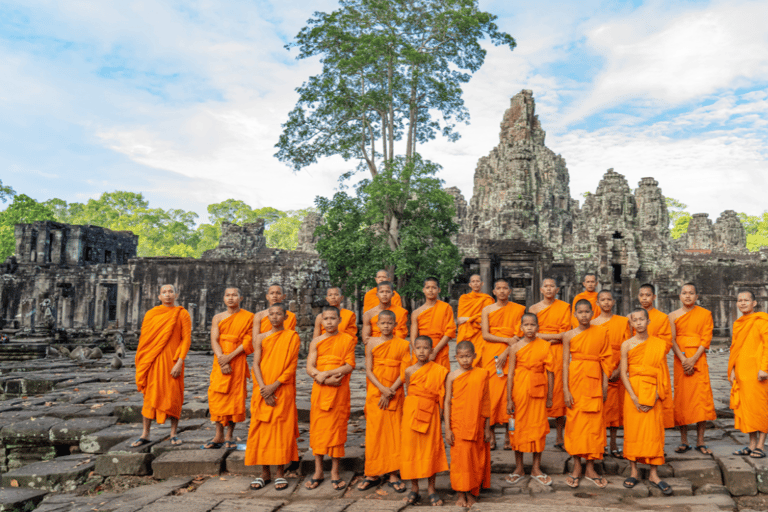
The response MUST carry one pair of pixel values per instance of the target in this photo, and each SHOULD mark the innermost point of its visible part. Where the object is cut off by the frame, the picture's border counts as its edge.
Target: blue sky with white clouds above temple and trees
(184, 101)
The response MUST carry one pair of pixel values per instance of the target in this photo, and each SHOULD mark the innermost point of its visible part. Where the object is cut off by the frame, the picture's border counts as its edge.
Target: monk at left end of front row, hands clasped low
(274, 419)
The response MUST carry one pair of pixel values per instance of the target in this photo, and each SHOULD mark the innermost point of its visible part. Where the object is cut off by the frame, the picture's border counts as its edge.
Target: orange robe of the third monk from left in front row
(382, 427)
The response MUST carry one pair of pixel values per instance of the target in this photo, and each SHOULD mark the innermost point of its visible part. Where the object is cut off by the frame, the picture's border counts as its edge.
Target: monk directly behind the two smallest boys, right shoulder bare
(434, 319)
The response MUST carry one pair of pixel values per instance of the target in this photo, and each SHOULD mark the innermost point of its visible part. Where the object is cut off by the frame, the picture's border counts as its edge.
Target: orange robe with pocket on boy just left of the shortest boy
(422, 451)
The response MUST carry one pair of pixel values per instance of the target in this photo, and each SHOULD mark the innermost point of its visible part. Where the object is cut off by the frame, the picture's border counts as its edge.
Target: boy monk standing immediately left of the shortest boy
(421, 443)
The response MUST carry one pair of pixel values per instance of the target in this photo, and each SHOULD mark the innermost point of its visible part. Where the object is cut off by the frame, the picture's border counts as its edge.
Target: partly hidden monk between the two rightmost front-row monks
(618, 330)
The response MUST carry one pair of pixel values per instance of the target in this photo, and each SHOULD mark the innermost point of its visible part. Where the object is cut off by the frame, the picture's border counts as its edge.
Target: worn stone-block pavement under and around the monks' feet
(67, 427)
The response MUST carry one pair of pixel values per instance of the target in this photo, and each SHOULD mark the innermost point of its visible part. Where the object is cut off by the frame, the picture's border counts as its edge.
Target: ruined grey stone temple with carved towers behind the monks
(520, 223)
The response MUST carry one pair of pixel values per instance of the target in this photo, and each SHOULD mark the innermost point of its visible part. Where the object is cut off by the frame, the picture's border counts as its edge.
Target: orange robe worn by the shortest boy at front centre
(470, 454)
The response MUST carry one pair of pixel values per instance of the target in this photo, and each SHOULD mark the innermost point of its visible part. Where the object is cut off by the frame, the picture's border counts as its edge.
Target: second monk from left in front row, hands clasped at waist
(330, 362)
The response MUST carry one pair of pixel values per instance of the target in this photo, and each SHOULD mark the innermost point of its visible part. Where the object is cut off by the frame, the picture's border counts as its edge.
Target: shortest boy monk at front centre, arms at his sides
(467, 428)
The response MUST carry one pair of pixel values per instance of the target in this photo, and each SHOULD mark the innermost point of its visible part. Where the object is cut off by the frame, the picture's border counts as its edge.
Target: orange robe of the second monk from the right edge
(693, 394)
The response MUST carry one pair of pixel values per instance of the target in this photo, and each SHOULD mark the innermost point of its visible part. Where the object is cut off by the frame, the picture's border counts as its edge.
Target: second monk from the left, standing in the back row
(231, 342)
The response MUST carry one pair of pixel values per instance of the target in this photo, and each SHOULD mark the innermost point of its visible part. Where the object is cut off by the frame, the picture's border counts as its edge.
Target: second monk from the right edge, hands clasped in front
(691, 335)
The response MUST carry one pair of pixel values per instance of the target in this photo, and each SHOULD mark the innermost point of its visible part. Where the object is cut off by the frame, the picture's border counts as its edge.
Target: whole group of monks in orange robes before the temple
(590, 370)
